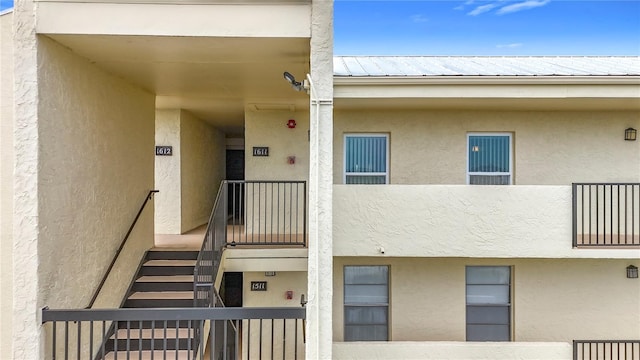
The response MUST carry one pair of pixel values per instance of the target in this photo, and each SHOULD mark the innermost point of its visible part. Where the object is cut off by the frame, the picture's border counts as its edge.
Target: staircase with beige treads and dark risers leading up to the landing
(164, 280)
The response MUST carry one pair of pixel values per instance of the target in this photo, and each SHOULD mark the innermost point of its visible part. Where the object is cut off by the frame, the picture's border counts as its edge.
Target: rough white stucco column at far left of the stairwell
(28, 339)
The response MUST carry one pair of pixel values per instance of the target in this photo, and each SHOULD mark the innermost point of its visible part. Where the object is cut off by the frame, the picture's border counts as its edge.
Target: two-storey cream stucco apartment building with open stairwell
(417, 207)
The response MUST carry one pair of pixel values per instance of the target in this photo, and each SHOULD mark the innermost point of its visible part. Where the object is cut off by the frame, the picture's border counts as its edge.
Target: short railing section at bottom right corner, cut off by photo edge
(606, 349)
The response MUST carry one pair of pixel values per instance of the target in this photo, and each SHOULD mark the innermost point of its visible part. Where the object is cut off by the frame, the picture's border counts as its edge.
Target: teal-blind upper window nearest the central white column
(366, 159)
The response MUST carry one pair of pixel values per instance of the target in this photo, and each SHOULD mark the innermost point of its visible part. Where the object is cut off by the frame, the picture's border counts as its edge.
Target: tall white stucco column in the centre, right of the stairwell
(320, 265)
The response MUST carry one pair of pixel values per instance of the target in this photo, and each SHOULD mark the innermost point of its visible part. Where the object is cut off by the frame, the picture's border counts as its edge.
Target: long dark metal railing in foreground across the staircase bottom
(176, 333)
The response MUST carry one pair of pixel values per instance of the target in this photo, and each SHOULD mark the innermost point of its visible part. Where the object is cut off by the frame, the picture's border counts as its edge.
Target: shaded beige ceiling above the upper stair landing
(214, 78)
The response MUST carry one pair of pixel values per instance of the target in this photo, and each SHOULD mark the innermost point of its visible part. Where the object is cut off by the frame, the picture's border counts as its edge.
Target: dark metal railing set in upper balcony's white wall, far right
(606, 214)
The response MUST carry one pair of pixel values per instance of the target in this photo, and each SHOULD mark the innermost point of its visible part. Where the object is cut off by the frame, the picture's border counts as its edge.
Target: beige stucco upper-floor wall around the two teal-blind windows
(550, 148)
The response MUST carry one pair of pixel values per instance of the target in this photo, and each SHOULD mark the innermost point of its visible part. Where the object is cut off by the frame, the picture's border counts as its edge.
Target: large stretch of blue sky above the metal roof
(487, 27)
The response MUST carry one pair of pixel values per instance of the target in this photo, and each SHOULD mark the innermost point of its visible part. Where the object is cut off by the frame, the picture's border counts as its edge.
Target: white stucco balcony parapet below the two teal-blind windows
(459, 221)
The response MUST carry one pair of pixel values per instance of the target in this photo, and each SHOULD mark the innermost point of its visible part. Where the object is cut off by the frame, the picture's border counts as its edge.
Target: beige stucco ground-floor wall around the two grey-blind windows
(553, 300)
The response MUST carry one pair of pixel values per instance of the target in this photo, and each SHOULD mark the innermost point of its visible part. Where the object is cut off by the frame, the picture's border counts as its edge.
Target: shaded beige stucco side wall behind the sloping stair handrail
(95, 135)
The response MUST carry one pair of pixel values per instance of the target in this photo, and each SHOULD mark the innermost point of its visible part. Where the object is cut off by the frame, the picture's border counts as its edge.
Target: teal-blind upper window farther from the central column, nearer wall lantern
(489, 159)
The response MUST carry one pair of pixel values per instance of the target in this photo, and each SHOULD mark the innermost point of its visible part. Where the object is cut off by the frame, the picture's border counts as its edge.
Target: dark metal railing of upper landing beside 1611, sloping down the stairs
(263, 213)
